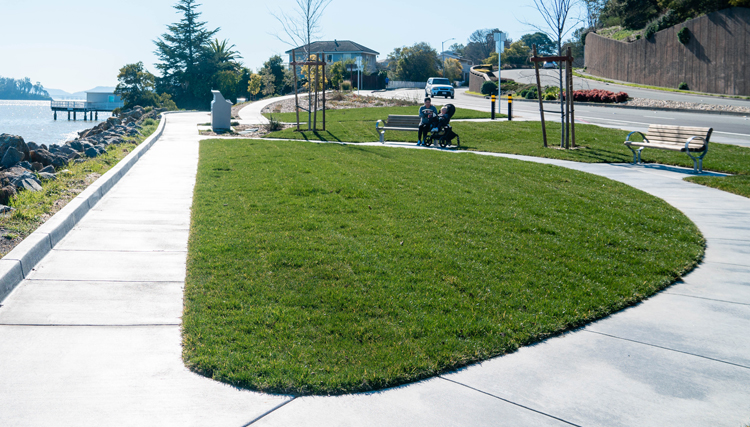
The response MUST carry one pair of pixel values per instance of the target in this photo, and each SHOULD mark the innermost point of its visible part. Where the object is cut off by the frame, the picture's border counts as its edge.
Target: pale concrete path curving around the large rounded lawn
(92, 337)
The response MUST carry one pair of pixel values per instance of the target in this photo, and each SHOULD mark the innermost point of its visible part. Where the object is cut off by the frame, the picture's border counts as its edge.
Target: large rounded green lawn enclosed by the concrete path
(328, 268)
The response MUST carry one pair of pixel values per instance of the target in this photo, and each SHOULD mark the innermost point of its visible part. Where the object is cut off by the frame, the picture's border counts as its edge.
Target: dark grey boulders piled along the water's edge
(24, 166)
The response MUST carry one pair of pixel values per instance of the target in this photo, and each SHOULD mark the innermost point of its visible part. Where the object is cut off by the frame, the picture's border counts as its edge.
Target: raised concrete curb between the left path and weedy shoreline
(18, 263)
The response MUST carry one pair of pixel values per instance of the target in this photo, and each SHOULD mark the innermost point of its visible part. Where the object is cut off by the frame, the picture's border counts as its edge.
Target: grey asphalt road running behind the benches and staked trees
(728, 129)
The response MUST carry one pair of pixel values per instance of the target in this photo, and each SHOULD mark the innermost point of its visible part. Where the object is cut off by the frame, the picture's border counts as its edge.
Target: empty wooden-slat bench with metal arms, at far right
(674, 138)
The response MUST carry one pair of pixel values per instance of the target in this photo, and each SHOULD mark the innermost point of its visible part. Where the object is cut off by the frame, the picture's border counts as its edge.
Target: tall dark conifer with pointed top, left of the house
(182, 51)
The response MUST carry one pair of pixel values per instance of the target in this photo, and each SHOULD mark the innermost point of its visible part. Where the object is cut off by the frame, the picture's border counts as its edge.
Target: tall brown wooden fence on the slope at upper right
(715, 60)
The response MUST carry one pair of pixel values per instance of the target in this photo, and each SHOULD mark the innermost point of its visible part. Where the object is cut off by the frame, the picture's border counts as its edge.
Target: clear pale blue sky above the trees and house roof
(80, 44)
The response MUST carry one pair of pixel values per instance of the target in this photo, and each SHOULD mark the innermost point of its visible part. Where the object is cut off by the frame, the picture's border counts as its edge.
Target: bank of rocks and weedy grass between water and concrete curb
(45, 179)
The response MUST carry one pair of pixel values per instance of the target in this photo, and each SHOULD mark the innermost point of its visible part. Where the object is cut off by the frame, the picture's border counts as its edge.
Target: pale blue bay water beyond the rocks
(34, 121)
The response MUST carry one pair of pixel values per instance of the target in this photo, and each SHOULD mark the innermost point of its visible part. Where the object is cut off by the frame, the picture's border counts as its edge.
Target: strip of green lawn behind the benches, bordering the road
(595, 145)
